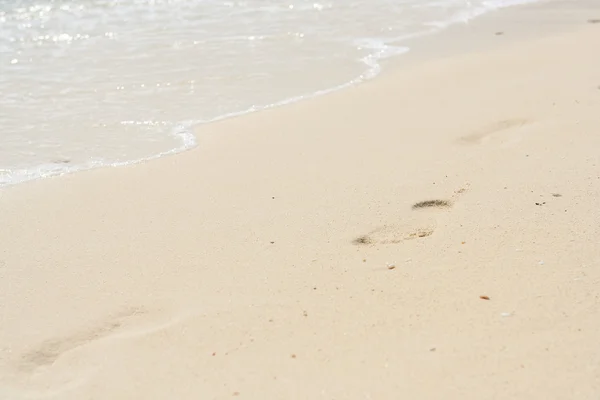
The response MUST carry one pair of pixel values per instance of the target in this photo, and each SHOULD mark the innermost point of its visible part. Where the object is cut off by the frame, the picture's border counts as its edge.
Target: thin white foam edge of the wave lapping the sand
(424, 42)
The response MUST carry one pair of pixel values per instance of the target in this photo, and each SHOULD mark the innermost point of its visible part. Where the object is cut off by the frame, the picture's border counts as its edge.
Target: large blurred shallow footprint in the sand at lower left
(63, 363)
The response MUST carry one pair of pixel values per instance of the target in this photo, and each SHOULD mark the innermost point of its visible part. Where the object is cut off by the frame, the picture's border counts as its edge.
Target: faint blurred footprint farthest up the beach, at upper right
(504, 133)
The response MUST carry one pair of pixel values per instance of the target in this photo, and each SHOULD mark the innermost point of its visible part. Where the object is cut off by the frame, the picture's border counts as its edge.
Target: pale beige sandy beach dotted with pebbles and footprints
(290, 255)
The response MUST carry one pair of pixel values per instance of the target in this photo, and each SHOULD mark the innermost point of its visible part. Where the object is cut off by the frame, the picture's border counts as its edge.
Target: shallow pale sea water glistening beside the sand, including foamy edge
(90, 83)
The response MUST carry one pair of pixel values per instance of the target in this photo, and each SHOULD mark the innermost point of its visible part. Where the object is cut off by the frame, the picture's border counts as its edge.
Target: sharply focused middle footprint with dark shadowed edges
(420, 225)
